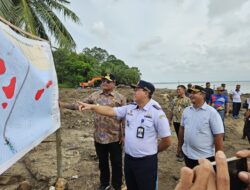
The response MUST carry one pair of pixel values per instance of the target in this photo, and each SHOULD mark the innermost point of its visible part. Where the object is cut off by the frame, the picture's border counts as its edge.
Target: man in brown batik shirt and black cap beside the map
(108, 133)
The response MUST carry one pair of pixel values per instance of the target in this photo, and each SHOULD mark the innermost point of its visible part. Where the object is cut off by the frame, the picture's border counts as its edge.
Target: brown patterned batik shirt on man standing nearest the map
(107, 129)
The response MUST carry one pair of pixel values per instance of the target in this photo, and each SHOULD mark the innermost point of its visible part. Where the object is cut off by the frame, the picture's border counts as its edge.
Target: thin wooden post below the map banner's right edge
(59, 152)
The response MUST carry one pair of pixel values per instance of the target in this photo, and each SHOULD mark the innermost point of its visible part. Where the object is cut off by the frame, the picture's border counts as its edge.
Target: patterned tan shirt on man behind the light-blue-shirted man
(178, 104)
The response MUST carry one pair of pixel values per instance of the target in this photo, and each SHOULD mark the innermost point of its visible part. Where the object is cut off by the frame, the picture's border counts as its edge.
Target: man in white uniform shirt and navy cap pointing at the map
(144, 123)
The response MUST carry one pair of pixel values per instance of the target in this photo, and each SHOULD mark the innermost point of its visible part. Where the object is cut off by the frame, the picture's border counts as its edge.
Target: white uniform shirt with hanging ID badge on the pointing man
(150, 119)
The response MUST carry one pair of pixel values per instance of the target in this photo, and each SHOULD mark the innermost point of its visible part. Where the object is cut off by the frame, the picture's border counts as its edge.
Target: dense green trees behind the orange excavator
(73, 68)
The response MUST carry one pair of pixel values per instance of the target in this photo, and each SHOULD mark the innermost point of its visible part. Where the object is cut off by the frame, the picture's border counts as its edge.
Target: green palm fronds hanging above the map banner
(39, 18)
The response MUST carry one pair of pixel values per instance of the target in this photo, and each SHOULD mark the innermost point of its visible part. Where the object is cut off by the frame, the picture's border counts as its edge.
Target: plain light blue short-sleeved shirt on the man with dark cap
(200, 126)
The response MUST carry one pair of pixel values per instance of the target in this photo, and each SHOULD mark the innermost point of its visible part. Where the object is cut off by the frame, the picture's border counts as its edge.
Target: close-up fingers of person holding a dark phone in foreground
(203, 177)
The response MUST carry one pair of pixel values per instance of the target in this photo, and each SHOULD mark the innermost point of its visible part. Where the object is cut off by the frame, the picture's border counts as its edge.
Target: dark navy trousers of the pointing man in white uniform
(140, 173)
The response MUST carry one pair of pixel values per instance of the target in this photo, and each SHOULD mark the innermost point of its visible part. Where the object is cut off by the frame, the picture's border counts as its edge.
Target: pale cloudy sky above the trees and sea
(170, 40)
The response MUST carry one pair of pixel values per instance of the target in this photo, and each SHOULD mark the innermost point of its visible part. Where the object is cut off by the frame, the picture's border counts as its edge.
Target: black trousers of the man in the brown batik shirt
(114, 151)
